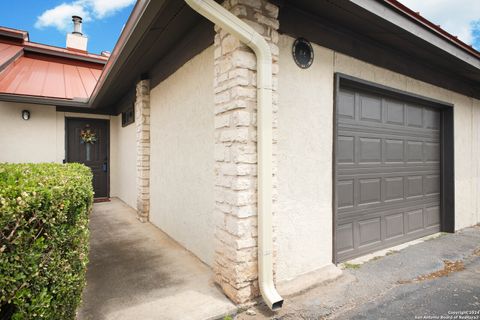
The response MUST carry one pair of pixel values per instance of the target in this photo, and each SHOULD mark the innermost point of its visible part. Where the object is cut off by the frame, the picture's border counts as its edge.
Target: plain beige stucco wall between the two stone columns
(182, 142)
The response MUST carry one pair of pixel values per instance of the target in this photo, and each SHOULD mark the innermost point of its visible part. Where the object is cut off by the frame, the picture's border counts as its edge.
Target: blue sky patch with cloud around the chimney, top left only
(48, 21)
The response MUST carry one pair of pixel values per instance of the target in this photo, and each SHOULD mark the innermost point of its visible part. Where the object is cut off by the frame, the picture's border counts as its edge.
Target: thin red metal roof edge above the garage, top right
(433, 27)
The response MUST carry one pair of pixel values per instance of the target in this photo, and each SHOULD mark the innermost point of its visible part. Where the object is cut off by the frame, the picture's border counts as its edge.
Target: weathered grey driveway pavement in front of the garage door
(435, 278)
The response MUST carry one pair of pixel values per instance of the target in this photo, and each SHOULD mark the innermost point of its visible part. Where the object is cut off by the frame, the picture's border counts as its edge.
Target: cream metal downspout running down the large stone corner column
(227, 21)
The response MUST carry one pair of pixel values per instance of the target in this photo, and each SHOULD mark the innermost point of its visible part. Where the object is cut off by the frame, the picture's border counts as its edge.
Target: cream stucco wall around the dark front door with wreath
(42, 139)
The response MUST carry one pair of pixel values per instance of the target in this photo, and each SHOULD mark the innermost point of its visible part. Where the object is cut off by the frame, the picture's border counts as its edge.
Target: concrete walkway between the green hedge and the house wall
(137, 272)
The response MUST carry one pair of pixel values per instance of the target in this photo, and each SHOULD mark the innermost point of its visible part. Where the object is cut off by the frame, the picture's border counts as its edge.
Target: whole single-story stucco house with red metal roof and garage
(367, 134)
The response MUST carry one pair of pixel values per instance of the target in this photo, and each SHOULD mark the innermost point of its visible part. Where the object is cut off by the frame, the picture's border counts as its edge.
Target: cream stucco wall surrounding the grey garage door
(305, 145)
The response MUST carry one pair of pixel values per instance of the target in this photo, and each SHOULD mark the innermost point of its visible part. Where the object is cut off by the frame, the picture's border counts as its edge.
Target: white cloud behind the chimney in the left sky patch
(60, 16)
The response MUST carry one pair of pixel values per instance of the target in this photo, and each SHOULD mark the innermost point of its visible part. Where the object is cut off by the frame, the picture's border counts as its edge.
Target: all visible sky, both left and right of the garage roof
(48, 21)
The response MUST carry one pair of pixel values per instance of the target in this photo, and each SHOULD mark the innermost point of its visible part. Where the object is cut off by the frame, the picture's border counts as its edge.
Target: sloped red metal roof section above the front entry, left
(36, 70)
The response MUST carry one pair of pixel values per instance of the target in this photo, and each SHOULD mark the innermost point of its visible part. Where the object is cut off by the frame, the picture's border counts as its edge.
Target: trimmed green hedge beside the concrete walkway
(44, 211)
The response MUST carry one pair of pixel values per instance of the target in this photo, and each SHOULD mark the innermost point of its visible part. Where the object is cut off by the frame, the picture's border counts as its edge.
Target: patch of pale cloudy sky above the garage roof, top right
(455, 16)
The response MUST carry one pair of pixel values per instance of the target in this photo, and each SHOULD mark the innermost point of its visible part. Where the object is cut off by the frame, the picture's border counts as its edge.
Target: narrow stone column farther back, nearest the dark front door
(142, 124)
